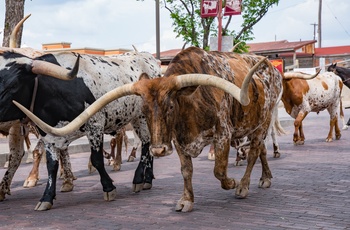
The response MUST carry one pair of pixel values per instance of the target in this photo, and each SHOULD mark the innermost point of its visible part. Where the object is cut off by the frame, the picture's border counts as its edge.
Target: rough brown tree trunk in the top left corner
(14, 14)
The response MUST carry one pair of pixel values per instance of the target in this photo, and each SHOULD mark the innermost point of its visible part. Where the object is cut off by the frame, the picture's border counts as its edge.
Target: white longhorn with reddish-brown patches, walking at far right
(301, 97)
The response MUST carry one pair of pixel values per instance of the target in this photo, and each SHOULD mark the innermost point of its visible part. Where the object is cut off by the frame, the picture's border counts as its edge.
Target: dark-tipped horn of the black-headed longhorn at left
(47, 68)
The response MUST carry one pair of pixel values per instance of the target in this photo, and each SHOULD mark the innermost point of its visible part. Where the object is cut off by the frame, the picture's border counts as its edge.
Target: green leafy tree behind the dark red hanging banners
(196, 31)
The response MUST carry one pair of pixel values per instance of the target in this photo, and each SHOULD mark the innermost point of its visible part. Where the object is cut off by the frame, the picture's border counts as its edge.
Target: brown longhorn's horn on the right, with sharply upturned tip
(240, 94)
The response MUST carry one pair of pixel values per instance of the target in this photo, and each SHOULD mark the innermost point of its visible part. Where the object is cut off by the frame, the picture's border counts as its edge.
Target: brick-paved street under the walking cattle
(310, 190)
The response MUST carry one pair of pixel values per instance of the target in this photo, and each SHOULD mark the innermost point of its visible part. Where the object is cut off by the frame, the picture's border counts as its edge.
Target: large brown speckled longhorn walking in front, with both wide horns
(191, 107)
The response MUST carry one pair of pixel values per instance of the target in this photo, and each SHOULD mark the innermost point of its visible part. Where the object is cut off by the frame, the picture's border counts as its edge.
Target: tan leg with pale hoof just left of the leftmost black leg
(33, 176)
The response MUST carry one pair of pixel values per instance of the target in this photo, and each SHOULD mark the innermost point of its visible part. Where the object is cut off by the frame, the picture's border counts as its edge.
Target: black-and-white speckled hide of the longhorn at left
(58, 102)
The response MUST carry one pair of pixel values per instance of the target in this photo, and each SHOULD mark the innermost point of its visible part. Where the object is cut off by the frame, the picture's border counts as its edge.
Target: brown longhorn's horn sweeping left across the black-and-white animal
(84, 116)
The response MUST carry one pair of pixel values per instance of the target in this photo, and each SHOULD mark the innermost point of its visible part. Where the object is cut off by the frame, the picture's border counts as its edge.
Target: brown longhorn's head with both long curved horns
(160, 104)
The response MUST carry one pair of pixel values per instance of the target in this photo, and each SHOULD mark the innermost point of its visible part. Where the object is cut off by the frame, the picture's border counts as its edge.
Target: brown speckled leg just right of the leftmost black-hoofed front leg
(67, 174)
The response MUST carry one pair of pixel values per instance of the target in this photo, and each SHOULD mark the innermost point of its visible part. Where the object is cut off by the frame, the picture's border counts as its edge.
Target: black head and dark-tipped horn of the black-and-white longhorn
(17, 74)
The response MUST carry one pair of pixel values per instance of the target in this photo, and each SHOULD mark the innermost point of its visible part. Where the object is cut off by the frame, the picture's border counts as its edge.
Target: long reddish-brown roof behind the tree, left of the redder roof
(278, 46)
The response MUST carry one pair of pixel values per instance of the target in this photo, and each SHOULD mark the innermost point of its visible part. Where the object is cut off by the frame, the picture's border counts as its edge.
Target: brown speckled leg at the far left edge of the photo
(16, 154)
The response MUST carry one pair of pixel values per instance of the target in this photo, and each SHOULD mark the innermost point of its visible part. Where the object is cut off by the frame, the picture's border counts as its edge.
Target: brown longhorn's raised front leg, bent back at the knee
(221, 162)
